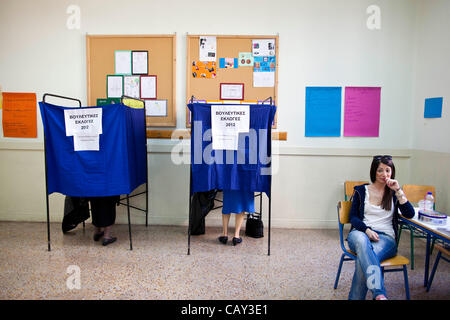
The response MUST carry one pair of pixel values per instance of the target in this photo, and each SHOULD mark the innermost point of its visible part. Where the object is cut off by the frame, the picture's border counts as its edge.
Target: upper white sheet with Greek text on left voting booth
(83, 121)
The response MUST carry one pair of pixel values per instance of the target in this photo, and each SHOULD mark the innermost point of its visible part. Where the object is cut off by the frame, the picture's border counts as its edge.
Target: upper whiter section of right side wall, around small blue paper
(432, 74)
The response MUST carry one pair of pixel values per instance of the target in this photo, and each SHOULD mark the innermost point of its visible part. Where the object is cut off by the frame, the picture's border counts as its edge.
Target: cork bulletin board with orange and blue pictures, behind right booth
(227, 46)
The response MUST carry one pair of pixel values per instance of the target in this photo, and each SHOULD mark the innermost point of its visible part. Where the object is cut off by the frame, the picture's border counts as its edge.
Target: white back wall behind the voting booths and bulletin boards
(322, 43)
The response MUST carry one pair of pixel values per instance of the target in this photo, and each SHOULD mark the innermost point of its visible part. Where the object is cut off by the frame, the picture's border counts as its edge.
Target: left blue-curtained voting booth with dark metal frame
(117, 167)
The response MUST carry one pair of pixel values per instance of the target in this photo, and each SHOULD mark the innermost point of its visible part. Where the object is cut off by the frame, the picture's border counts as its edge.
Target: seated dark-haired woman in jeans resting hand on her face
(374, 218)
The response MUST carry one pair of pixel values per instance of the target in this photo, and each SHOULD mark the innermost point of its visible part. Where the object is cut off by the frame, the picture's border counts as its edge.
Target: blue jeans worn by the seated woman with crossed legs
(368, 275)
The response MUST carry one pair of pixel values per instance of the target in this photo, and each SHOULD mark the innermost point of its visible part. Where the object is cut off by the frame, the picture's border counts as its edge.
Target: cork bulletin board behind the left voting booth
(100, 61)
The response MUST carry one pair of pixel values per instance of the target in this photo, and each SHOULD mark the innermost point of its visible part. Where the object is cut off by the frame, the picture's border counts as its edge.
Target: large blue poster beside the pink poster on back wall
(323, 112)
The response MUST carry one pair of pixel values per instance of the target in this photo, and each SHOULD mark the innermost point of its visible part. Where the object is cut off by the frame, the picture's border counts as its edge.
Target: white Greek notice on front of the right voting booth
(226, 124)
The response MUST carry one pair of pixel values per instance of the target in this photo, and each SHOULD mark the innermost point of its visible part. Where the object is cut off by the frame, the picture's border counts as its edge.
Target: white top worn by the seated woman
(377, 218)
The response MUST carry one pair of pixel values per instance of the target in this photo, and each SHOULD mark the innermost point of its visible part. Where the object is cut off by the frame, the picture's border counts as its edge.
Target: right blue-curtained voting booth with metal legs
(247, 168)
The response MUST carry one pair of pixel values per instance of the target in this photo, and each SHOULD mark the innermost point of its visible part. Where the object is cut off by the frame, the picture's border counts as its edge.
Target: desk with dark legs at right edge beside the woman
(431, 230)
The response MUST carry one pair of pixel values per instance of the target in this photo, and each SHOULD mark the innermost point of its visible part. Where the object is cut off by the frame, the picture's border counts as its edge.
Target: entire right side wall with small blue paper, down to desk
(431, 141)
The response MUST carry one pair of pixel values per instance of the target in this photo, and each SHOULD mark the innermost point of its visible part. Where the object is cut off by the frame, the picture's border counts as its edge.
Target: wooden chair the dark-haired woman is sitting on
(343, 210)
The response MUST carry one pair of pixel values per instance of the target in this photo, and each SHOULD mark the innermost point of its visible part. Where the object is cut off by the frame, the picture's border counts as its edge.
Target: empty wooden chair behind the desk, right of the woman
(414, 193)
